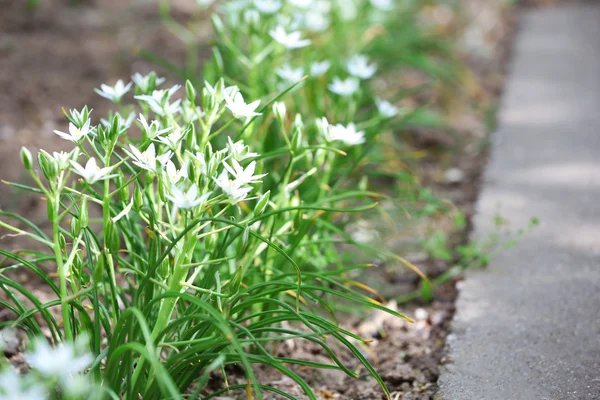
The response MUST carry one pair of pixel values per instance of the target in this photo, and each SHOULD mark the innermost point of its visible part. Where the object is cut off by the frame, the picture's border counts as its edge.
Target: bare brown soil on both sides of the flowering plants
(53, 57)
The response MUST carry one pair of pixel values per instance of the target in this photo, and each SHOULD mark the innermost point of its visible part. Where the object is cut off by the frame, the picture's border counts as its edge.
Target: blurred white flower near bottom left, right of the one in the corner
(60, 361)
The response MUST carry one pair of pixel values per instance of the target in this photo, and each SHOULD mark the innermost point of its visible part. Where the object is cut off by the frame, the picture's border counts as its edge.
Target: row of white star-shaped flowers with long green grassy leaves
(218, 203)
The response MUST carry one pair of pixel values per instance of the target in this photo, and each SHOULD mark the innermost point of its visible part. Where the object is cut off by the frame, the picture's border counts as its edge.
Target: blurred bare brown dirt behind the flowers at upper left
(53, 57)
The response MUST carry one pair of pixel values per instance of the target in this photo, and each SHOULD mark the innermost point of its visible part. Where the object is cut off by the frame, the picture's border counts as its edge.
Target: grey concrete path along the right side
(528, 327)
